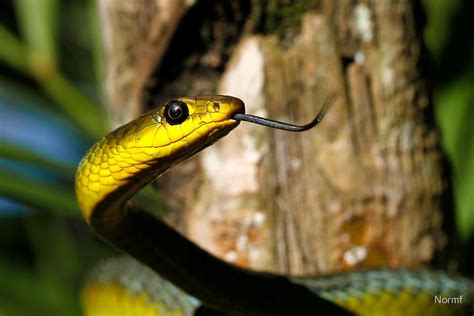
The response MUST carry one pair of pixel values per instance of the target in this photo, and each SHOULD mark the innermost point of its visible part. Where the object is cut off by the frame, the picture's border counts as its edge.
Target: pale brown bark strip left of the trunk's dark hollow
(135, 36)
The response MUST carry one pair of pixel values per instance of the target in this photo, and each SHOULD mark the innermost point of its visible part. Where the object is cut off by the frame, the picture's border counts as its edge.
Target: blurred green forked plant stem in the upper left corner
(38, 22)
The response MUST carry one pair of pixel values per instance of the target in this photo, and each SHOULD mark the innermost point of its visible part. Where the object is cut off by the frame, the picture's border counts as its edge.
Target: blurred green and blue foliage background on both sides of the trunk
(52, 109)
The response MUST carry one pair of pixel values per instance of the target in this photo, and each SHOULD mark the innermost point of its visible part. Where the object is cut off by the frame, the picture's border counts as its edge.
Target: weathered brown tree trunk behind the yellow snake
(364, 189)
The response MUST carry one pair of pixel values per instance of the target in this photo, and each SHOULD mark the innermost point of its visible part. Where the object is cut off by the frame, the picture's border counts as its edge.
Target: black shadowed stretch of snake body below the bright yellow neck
(214, 282)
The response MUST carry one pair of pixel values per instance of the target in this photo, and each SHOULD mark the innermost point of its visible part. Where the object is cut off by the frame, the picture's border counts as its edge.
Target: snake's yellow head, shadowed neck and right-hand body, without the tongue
(130, 157)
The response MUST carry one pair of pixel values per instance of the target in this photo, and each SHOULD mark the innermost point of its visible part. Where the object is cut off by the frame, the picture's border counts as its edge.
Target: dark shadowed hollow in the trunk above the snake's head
(199, 49)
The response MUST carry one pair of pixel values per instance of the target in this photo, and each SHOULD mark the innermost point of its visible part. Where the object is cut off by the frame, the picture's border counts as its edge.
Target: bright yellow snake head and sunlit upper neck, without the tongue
(134, 154)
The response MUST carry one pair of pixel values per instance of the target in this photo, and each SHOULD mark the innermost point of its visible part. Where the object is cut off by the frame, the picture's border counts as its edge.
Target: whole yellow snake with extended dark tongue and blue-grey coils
(179, 276)
